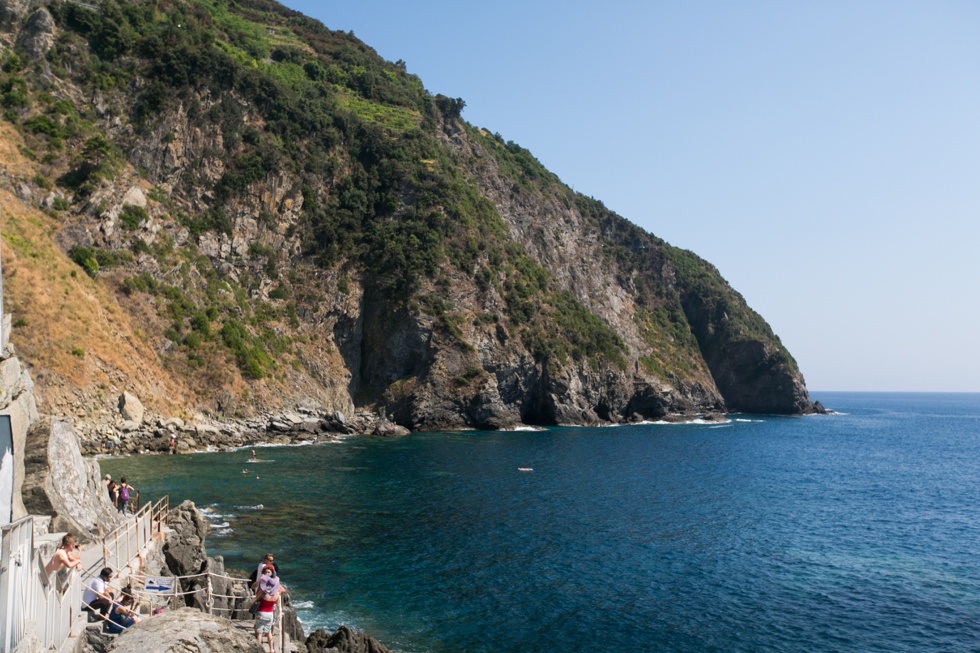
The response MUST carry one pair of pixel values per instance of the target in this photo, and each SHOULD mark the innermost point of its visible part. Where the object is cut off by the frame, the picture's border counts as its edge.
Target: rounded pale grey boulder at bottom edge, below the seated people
(184, 631)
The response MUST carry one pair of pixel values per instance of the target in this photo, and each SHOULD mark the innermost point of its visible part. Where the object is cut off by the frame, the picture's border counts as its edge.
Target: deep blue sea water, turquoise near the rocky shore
(858, 531)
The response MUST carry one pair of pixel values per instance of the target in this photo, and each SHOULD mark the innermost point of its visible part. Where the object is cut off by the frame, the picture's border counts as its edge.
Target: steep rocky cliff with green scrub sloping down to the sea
(271, 215)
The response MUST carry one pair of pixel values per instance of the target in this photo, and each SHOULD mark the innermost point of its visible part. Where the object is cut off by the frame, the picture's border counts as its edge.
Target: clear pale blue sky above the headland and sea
(825, 156)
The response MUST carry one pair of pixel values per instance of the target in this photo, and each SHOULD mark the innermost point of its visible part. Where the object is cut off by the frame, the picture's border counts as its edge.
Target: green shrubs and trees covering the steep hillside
(381, 193)
